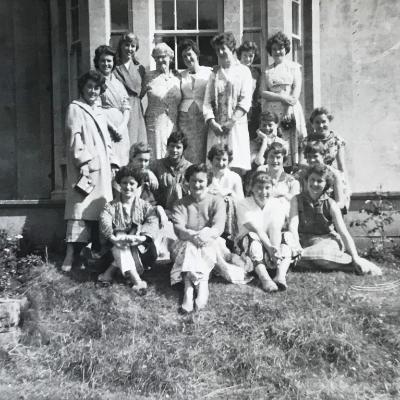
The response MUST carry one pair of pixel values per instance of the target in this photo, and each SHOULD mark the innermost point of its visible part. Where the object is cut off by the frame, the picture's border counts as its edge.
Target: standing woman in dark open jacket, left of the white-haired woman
(131, 74)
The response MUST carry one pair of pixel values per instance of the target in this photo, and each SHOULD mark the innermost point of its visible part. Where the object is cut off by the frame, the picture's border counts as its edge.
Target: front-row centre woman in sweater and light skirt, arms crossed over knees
(199, 220)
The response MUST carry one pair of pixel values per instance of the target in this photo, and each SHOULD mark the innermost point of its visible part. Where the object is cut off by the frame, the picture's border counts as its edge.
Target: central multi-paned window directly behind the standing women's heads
(199, 20)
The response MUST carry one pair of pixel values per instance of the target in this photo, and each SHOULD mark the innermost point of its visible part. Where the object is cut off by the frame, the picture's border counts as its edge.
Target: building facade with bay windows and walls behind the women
(49, 43)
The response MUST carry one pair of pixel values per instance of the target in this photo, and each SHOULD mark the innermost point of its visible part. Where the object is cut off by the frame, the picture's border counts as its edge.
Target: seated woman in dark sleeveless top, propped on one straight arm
(319, 231)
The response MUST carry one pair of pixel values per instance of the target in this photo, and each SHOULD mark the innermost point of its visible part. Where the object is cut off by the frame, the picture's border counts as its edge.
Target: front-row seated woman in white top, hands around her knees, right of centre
(260, 219)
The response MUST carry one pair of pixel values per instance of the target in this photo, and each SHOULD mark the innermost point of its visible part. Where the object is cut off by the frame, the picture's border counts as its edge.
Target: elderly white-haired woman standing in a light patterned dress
(164, 95)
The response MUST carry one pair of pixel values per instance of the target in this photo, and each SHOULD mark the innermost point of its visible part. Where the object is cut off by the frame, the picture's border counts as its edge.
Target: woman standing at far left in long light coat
(89, 174)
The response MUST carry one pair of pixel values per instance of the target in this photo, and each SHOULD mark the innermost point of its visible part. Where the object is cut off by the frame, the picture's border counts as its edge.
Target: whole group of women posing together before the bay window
(133, 174)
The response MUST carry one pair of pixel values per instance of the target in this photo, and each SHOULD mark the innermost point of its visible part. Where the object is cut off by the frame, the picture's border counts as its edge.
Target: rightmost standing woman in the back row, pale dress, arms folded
(280, 91)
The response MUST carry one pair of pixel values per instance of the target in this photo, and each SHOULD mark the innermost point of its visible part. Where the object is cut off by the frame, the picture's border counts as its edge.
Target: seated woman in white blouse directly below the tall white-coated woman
(227, 184)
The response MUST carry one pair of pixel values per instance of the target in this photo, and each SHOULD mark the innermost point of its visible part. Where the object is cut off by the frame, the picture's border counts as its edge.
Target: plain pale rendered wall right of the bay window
(360, 53)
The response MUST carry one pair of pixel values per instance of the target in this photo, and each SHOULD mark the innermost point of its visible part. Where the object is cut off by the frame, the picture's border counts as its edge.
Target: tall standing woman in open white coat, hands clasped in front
(227, 100)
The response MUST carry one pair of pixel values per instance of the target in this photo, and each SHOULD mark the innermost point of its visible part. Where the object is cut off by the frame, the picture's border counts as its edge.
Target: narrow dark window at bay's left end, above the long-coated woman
(75, 47)
